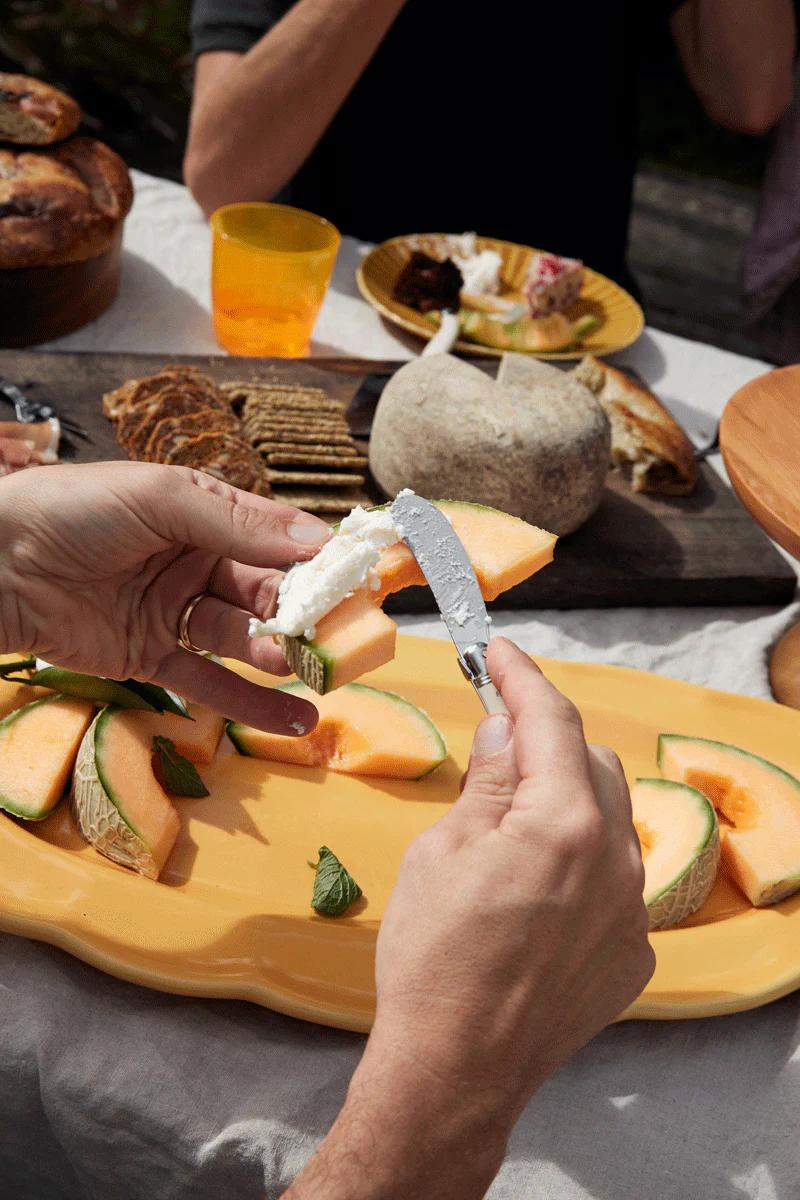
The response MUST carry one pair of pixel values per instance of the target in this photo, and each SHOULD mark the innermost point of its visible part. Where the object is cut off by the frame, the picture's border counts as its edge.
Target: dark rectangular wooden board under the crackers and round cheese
(635, 551)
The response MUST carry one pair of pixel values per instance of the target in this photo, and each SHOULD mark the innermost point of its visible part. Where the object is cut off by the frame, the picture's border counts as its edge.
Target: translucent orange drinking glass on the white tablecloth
(270, 269)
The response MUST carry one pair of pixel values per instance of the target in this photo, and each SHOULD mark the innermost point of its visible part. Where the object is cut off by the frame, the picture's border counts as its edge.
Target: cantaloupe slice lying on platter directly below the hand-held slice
(362, 731)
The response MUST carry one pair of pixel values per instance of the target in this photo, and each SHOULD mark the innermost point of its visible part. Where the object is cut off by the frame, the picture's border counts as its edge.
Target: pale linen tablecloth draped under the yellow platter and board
(110, 1091)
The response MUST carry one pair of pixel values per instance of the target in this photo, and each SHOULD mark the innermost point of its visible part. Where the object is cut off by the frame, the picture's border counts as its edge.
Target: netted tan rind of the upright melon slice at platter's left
(99, 818)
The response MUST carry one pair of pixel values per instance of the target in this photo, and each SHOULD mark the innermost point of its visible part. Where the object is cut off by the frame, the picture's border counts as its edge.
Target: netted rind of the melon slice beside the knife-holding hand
(693, 885)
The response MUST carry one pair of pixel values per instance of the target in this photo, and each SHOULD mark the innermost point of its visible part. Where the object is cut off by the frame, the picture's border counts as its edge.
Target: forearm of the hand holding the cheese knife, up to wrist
(402, 1133)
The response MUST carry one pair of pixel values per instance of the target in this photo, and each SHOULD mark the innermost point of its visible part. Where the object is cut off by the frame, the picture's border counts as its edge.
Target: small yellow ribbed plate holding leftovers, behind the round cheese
(622, 320)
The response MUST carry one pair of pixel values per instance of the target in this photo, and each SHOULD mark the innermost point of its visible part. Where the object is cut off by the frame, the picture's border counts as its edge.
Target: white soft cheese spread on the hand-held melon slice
(310, 591)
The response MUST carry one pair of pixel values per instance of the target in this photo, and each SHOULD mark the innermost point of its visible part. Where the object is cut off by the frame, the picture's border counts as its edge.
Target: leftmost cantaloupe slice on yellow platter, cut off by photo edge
(39, 745)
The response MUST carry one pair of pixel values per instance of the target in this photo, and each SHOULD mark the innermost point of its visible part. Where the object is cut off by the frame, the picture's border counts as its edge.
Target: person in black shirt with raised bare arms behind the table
(519, 122)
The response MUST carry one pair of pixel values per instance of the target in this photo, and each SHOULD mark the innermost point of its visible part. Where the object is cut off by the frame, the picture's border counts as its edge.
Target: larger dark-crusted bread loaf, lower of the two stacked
(61, 206)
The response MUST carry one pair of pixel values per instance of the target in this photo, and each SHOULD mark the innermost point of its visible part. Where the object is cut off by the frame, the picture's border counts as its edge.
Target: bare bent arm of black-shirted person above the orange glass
(296, 79)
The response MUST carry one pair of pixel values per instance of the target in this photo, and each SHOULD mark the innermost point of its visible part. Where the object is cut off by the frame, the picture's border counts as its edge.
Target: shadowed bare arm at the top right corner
(739, 58)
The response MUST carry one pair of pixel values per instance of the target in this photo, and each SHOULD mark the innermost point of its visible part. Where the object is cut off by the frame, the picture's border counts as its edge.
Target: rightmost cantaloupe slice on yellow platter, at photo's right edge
(760, 807)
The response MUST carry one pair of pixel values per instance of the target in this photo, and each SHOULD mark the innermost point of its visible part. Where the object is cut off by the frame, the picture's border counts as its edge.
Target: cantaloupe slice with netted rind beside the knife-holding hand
(679, 836)
